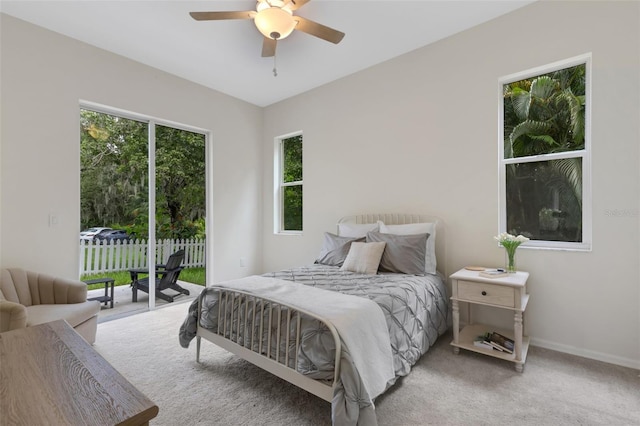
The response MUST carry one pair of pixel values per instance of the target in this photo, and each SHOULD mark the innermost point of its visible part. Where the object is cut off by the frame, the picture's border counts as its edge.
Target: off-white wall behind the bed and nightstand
(420, 134)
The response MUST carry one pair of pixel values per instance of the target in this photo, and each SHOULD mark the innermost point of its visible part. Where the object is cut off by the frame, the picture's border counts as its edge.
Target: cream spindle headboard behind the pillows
(405, 218)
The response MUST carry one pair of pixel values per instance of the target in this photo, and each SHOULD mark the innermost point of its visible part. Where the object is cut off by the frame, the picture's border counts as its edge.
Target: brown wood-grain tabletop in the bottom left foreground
(49, 375)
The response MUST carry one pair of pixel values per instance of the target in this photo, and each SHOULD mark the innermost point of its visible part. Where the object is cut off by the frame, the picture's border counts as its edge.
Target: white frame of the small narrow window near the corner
(279, 184)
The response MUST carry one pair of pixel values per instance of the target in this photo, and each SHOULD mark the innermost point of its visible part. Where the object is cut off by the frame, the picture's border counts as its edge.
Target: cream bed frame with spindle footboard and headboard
(242, 342)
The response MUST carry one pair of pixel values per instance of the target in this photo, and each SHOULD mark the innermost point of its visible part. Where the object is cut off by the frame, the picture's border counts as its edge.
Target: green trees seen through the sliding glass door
(114, 177)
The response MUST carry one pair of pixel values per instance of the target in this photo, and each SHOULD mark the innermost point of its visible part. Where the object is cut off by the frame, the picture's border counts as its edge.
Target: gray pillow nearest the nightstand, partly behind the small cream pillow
(403, 254)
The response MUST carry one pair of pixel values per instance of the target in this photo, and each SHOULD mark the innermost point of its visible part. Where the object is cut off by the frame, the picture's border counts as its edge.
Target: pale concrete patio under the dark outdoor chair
(123, 306)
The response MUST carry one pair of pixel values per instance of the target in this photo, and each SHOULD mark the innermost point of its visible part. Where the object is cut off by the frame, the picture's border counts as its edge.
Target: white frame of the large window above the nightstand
(585, 154)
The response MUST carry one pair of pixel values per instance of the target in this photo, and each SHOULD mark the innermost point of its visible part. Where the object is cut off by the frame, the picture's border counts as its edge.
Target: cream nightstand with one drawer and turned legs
(507, 292)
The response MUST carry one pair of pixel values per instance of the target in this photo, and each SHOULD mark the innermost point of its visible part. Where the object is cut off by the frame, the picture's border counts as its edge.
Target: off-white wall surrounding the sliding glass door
(44, 76)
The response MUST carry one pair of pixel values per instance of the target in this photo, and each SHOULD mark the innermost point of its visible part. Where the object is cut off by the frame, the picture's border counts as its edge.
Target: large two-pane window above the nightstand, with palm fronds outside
(545, 164)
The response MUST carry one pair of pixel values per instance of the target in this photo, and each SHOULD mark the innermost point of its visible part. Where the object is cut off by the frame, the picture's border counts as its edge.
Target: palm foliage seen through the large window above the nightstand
(545, 115)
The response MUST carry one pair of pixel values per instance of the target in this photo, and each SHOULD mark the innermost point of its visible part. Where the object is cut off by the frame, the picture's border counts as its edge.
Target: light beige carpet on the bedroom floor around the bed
(442, 389)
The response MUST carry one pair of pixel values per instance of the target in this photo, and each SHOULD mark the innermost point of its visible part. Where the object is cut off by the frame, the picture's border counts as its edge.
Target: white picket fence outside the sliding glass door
(121, 256)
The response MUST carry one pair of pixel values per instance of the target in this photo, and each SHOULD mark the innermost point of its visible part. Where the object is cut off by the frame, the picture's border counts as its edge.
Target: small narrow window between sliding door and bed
(288, 178)
